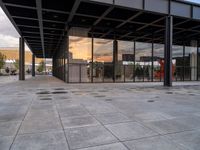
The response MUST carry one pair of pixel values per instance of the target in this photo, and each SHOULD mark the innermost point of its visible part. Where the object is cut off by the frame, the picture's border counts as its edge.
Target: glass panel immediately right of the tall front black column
(177, 60)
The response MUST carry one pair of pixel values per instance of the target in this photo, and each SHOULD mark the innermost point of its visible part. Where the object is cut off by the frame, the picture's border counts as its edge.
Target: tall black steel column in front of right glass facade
(168, 51)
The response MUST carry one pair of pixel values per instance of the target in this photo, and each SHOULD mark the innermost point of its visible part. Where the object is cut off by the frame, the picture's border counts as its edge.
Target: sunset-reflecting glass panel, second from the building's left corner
(103, 60)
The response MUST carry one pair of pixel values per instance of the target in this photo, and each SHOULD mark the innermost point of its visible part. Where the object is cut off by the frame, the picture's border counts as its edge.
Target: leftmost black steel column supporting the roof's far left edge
(21, 59)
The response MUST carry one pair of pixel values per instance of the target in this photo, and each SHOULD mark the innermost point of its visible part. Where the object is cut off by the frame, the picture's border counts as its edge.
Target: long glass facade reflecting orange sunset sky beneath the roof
(96, 60)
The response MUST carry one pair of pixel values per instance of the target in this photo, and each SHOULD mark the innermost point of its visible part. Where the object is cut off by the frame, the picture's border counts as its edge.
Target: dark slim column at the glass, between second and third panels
(115, 59)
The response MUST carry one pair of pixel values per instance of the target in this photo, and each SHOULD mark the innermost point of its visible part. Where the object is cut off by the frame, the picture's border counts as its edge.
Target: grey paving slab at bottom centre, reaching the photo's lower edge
(89, 136)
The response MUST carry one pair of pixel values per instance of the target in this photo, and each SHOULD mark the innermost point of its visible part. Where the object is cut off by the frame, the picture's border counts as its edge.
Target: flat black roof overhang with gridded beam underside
(43, 23)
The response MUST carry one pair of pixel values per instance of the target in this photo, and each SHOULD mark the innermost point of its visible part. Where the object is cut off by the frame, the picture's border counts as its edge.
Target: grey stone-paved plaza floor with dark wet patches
(46, 114)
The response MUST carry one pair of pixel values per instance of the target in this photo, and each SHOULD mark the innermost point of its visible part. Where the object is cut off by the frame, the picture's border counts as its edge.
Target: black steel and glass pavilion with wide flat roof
(96, 41)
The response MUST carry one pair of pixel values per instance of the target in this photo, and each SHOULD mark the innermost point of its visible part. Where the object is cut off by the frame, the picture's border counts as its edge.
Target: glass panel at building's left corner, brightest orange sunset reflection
(80, 57)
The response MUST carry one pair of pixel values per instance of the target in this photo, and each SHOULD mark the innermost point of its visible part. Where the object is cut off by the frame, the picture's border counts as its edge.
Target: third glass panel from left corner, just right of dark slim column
(125, 65)
